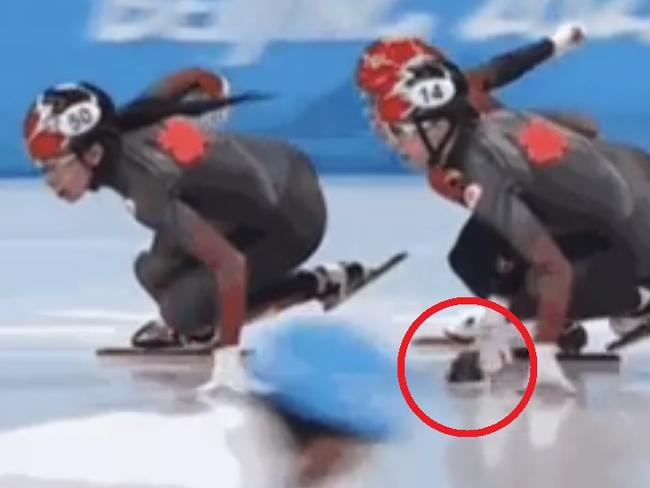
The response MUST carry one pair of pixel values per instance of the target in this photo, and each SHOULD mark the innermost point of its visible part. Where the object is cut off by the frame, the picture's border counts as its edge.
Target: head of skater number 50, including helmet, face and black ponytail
(73, 130)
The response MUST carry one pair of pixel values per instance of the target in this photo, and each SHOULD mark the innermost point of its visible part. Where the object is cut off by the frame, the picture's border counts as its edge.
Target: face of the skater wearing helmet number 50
(69, 176)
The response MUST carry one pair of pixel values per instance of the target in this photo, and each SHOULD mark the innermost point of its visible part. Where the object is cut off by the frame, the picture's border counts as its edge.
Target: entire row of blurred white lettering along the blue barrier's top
(249, 26)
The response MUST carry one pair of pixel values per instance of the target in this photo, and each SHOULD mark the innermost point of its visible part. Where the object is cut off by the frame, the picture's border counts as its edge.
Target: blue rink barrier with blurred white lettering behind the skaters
(305, 53)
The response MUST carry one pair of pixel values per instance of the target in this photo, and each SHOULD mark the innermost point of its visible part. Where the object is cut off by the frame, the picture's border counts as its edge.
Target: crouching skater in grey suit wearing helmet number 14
(531, 180)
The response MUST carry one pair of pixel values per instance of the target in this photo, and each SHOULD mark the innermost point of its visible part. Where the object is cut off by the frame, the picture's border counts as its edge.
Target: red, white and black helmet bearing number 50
(66, 118)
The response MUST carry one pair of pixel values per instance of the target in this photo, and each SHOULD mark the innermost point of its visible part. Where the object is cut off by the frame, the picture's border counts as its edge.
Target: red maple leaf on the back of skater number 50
(184, 141)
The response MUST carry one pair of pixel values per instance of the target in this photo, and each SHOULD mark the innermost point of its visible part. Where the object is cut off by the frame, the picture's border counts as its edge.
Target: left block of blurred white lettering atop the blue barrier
(253, 23)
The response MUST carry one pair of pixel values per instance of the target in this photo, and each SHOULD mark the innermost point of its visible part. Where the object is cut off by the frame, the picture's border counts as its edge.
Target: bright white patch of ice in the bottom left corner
(77, 449)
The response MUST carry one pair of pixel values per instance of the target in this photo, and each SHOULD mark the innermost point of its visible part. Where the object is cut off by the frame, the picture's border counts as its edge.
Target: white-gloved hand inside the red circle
(494, 342)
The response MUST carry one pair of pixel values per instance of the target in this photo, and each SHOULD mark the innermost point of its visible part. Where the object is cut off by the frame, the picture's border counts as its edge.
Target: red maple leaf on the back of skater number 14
(544, 144)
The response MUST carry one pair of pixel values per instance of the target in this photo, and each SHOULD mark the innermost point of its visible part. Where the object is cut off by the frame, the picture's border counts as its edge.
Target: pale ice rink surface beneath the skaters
(71, 420)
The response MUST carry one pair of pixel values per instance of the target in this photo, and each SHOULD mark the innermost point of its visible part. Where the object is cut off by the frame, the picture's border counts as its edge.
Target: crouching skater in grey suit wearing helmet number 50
(233, 216)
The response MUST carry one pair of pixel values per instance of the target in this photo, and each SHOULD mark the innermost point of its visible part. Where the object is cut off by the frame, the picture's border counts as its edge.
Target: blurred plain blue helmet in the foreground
(327, 373)
